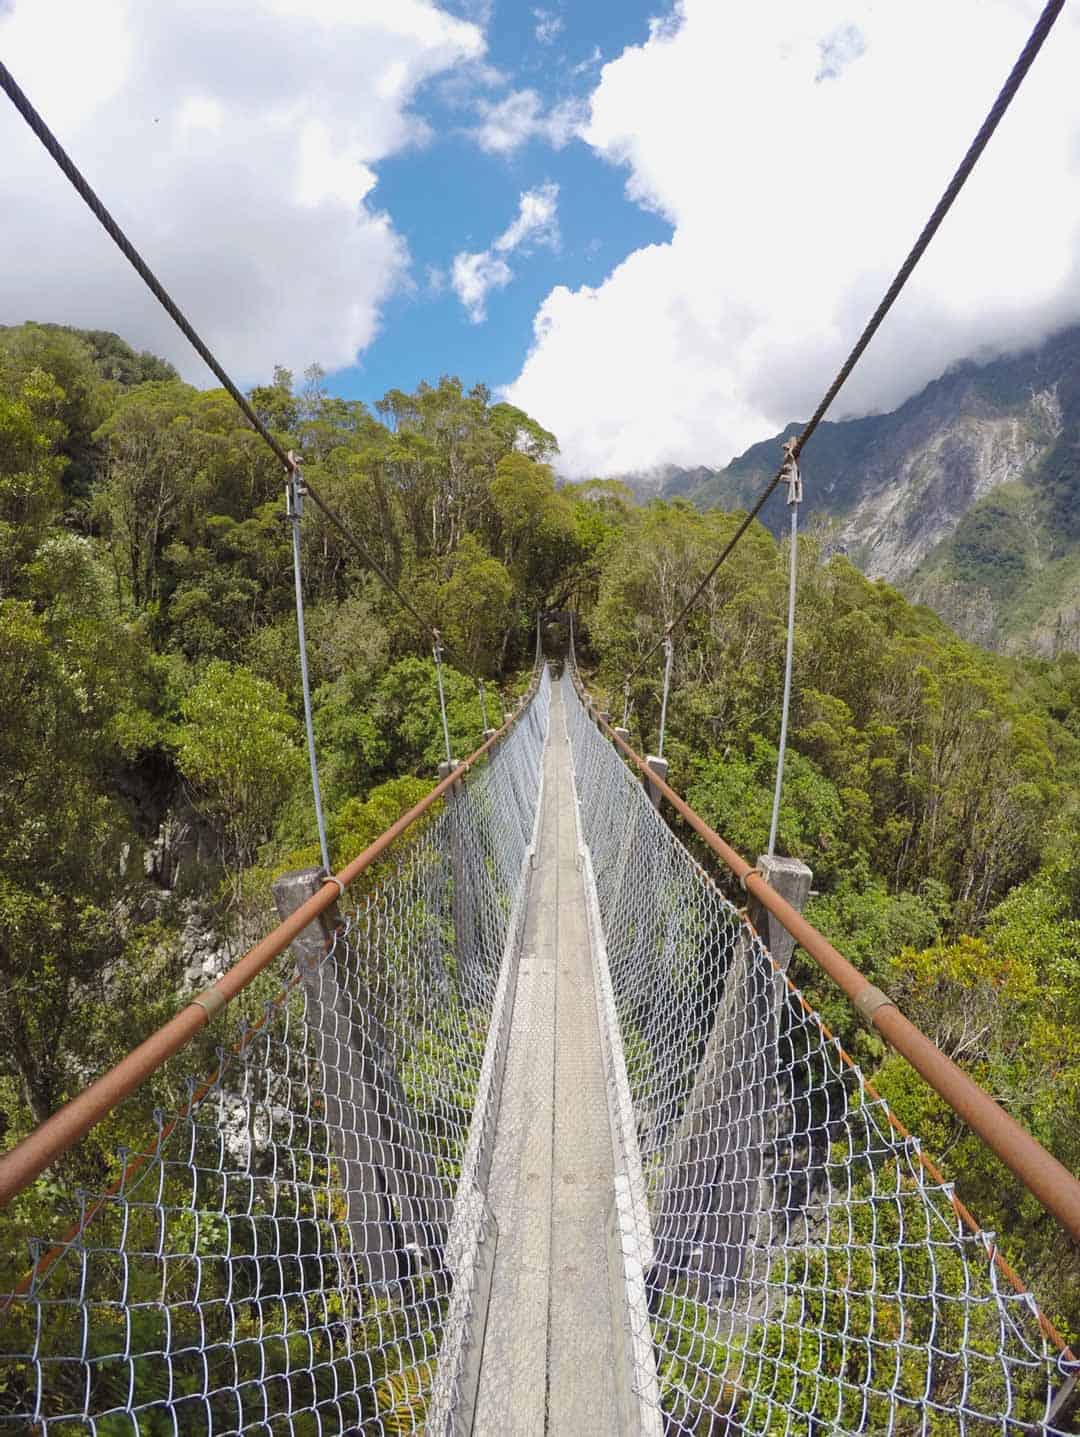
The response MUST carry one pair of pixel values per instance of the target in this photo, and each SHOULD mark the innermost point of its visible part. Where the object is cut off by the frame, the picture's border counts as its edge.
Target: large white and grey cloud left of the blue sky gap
(238, 146)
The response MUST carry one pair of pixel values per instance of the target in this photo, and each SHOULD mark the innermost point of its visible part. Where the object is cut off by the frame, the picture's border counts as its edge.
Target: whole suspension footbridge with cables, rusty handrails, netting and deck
(519, 1126)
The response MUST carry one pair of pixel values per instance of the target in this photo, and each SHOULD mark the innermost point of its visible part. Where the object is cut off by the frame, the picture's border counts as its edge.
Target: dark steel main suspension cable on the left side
(22, 103)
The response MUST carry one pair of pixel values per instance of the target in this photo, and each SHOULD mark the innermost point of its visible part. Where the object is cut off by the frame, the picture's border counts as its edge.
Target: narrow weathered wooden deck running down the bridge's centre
(549, 1362)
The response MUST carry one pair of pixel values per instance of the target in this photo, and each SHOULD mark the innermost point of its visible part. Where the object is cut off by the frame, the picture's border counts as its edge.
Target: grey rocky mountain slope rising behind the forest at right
(967, 498)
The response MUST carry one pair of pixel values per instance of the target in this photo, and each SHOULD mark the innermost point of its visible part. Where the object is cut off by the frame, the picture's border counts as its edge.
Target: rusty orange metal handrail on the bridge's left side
(60, 1133)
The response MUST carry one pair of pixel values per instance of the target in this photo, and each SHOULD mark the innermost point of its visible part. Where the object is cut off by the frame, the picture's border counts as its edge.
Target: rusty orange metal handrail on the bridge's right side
(1046, 1179)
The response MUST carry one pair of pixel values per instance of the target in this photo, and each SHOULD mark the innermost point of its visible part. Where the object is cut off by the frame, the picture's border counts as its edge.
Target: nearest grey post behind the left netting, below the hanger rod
(368, 1120)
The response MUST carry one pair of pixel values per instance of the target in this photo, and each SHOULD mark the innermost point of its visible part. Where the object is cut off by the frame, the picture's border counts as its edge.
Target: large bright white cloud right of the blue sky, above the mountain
(796, 150)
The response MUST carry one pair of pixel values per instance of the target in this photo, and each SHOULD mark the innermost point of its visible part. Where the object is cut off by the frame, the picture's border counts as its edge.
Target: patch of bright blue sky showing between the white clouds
(450, 196)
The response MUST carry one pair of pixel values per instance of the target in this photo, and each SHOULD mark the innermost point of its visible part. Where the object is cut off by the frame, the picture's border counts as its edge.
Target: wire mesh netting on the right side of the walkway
(804, 1271)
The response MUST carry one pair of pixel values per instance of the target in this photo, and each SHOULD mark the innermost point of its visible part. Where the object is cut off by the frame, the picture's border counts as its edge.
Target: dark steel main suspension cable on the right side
(953, 190)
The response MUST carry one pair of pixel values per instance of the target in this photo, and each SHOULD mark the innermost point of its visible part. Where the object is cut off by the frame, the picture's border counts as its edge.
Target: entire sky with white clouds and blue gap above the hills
(654, 225)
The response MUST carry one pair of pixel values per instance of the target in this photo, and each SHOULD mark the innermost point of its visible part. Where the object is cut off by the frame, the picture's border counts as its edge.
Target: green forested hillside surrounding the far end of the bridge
(153, 774)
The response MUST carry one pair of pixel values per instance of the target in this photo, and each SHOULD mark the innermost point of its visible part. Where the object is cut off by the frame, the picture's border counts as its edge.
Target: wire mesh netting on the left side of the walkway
(294, 1245)
